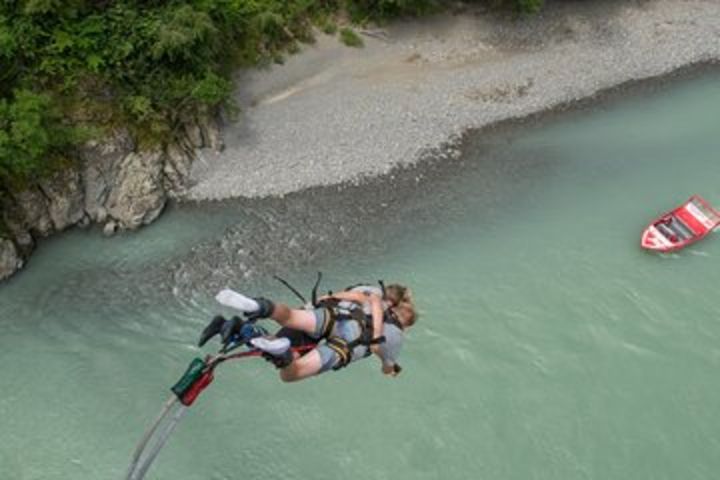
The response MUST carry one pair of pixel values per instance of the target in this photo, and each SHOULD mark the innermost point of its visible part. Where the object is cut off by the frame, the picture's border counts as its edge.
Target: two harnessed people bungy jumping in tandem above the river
(345, 326)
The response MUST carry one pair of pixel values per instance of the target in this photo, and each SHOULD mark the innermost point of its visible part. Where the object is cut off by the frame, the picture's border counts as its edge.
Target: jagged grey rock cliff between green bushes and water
(115, 185)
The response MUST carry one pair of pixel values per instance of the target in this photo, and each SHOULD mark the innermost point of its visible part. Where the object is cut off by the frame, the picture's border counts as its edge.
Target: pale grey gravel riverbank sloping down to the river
(333, 114)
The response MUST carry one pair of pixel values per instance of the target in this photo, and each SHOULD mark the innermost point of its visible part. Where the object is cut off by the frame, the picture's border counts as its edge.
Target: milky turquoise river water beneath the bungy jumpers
(549, 345)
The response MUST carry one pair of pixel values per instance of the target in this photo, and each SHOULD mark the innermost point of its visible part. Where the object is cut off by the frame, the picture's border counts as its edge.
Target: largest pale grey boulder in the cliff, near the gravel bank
(137, 195)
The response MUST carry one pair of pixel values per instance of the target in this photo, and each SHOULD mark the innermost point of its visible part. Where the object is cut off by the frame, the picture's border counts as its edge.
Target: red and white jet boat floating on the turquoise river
(681, 227)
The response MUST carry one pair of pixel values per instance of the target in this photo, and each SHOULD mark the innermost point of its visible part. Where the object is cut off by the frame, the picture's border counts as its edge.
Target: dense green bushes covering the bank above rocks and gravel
(145, 65)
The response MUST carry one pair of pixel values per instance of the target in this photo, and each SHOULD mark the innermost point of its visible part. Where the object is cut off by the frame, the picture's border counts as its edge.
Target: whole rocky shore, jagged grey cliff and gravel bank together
(334, 114)
